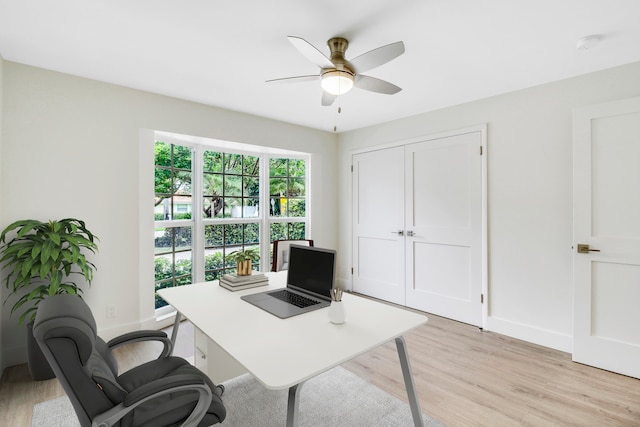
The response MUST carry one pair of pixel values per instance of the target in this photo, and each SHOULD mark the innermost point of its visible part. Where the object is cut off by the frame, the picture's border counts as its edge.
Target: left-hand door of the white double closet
(378, 224)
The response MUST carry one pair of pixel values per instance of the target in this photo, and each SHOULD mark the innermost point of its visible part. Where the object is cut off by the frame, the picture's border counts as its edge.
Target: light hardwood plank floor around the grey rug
(464, 377)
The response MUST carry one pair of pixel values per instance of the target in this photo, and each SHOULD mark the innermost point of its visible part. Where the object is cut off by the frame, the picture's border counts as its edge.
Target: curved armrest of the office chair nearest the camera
(155, 389)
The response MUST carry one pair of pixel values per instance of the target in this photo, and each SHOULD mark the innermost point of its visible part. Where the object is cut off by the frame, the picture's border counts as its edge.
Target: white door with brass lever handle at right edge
(606, 216)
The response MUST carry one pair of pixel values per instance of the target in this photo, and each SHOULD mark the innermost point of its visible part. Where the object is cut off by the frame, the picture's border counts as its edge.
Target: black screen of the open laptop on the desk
(311, 269)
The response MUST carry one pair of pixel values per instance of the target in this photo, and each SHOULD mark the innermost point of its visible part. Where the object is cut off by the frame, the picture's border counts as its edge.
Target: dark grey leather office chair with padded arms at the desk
(167, 391)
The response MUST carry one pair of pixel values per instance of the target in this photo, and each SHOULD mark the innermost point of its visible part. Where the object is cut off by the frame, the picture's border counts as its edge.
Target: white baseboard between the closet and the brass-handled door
(544, 337)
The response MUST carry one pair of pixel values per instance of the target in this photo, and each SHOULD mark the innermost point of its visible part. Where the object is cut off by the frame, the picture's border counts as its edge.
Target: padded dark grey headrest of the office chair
(66, 316)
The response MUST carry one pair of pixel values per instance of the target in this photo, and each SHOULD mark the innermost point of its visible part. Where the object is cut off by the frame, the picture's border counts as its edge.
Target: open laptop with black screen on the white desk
(310, 278)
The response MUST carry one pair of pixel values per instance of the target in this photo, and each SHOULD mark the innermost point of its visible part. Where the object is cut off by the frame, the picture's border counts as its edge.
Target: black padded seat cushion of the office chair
(170, 409)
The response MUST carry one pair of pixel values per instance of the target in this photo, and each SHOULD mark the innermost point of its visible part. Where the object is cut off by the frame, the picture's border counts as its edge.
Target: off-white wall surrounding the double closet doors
(529, 194)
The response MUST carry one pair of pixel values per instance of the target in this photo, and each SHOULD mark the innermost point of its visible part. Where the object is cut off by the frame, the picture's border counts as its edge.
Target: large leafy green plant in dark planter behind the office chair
(41, 260)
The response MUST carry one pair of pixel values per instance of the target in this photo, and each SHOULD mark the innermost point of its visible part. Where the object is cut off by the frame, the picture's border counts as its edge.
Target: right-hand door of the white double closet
(444, 223)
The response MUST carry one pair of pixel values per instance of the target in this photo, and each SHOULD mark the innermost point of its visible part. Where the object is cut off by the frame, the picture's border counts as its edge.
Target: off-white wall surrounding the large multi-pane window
(71, 147)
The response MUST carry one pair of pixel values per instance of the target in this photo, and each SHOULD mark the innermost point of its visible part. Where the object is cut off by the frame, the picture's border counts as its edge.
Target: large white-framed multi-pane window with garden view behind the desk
(233, 187)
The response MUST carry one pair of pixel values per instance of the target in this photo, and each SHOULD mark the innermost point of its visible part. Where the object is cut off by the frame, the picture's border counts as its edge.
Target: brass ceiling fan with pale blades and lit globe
(337, 75)
